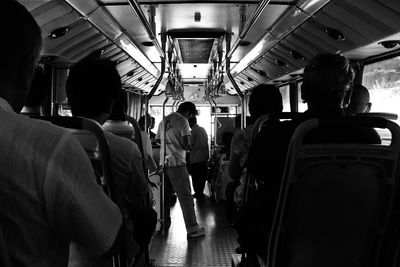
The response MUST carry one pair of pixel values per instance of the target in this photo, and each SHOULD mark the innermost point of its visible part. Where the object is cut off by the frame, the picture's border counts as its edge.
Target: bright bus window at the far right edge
(383, 82)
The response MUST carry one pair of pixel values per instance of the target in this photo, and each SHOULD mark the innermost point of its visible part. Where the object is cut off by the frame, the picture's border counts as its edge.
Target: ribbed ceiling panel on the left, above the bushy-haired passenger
(82, 38)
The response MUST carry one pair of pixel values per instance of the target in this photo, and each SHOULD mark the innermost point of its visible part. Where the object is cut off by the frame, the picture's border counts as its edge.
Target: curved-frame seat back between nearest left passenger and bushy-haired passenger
(91, 136)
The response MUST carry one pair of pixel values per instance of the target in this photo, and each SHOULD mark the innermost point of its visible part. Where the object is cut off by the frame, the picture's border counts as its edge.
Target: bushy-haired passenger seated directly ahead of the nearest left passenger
(92, 86)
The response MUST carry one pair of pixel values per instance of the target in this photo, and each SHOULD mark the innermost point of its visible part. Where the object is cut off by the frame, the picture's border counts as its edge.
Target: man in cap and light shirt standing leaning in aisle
(174, 133)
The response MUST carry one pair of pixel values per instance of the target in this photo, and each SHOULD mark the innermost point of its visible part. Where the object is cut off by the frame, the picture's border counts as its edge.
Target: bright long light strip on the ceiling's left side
(137, 55)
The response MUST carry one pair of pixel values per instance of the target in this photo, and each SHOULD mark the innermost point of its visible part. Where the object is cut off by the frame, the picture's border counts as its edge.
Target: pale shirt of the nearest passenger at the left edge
(48, 194)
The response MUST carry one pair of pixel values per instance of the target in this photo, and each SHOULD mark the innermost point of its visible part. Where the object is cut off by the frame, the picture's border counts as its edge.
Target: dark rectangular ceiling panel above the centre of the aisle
(195, 50)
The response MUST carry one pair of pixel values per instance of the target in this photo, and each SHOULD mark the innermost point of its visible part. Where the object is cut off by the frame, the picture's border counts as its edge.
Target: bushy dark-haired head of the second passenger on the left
(92, 86)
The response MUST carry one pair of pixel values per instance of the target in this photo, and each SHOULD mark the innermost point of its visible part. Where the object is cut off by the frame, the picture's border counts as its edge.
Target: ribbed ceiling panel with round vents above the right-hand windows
(363, 23)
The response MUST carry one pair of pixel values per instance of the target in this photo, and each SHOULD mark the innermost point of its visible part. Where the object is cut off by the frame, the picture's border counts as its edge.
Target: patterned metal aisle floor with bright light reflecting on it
(214, 249)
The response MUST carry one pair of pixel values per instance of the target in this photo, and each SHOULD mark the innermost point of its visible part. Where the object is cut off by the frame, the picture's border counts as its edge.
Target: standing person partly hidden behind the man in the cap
(198, 157)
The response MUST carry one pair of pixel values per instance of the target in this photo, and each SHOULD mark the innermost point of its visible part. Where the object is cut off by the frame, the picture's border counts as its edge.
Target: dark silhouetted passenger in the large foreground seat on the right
(326, 90)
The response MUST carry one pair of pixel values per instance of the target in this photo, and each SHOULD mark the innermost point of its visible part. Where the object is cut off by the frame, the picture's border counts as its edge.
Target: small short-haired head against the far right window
(359, 101)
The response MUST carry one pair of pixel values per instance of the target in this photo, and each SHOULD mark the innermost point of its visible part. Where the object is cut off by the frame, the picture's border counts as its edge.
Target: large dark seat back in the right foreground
(335, 199)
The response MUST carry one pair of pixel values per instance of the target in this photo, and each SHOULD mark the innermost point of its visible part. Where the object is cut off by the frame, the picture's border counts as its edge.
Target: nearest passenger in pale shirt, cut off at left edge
(48, 191)
